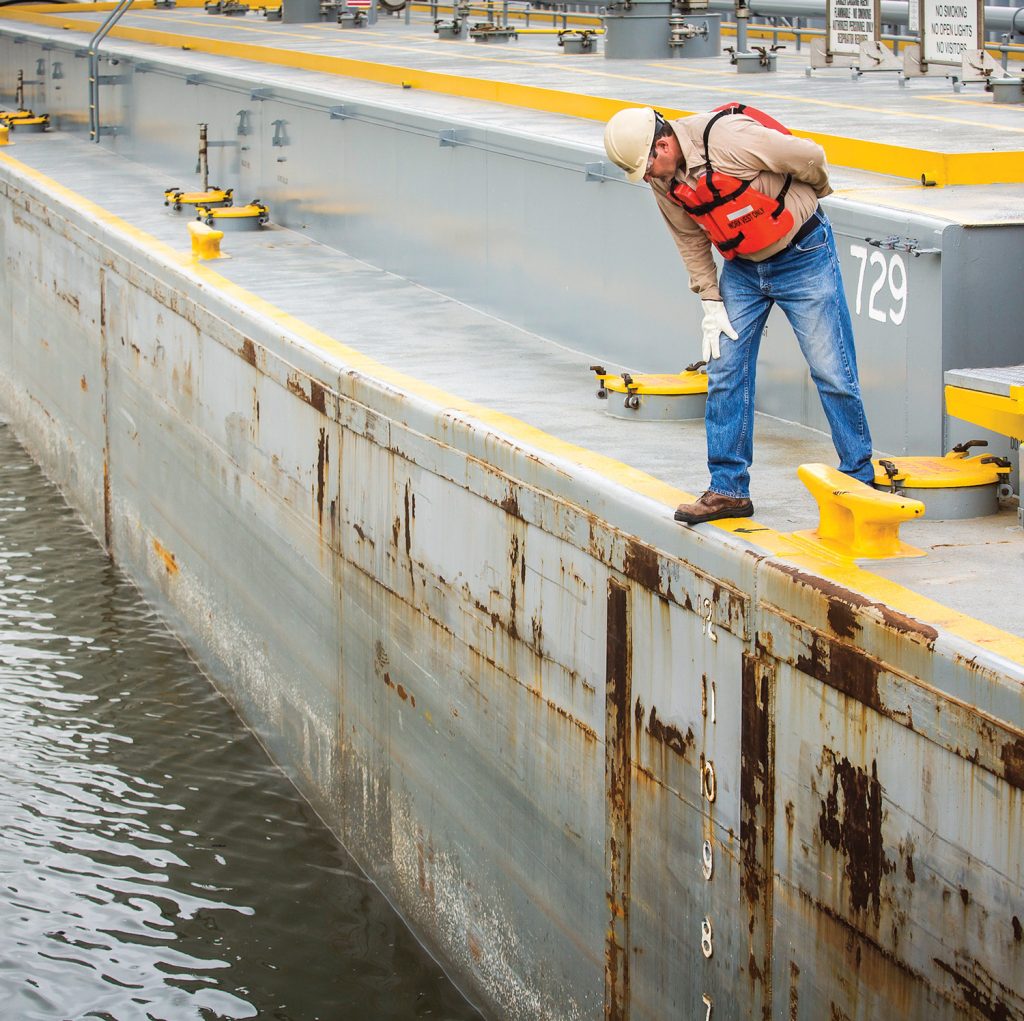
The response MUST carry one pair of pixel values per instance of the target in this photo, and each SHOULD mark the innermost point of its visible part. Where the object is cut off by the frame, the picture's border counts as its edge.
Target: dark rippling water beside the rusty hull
(154, 865)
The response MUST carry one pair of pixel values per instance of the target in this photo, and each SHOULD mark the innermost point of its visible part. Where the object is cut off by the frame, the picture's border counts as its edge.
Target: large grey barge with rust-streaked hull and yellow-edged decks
(361, 466)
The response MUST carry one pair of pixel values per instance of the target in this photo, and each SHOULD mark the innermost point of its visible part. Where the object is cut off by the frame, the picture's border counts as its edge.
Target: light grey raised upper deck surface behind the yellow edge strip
(926, 115)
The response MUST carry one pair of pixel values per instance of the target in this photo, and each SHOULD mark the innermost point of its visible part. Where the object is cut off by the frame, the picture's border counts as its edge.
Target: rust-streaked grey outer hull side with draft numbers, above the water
(522, 697)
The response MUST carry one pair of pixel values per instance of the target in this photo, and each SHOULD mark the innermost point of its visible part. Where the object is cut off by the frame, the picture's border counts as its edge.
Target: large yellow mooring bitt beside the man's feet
(857, 521)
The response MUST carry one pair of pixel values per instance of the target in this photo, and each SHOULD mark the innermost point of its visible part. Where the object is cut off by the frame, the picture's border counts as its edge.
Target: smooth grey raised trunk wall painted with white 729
(399, 189)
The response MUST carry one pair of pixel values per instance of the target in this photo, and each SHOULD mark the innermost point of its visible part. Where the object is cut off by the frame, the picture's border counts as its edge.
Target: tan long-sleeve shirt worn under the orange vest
(744, 149)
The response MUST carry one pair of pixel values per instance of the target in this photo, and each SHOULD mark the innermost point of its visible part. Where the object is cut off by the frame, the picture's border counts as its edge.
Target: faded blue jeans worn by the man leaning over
(804, 280)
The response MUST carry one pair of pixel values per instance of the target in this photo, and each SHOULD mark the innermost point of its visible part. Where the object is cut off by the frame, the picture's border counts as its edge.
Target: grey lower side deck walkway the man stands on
(478, 358)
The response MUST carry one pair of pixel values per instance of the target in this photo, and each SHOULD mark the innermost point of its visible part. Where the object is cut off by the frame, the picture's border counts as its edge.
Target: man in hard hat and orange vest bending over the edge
(754, 192)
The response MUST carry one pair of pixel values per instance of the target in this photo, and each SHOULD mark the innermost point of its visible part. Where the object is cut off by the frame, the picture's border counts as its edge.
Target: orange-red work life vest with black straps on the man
(738, 219)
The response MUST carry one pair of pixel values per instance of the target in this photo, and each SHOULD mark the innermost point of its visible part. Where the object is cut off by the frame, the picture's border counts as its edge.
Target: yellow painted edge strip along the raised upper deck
(941, 168)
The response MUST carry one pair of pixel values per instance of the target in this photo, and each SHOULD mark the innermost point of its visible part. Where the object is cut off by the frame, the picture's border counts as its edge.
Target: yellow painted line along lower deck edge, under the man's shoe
(779, 544)
